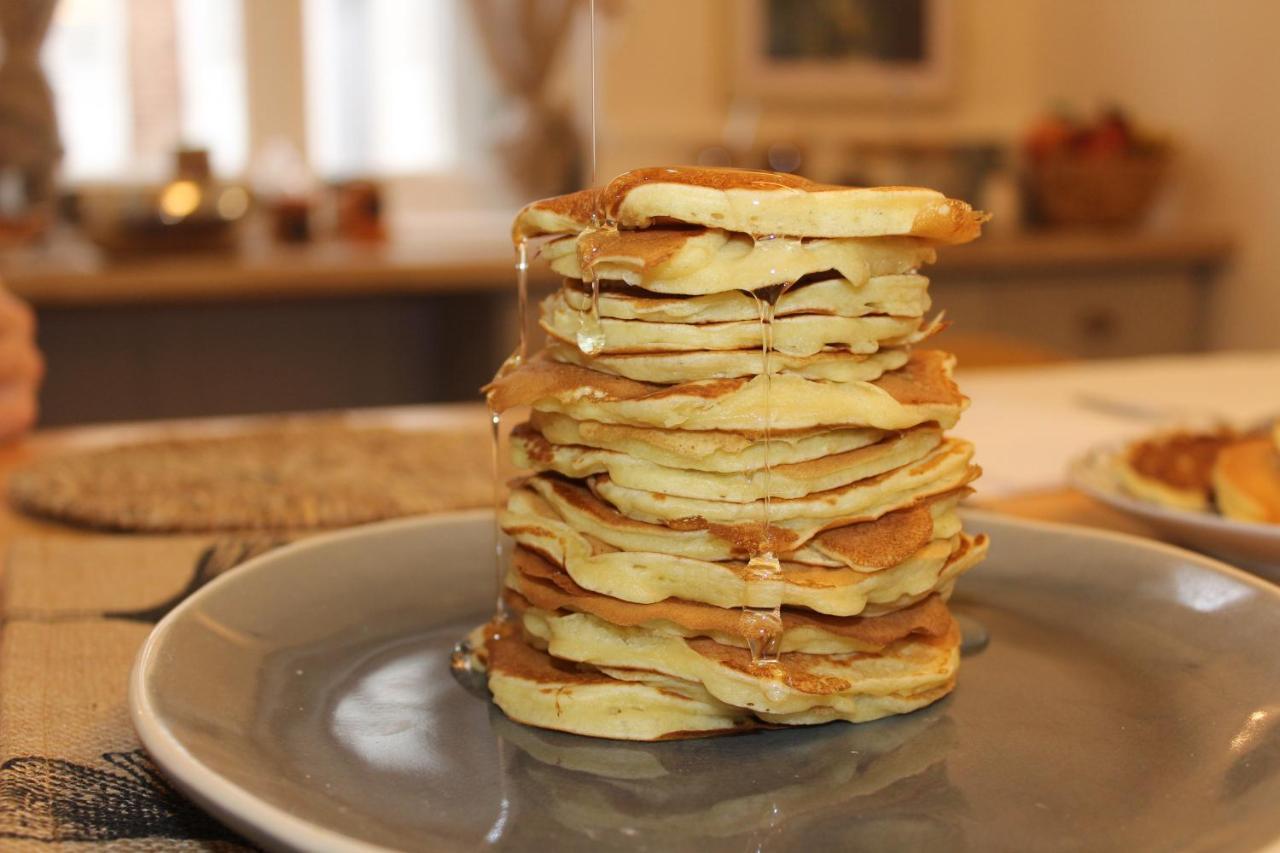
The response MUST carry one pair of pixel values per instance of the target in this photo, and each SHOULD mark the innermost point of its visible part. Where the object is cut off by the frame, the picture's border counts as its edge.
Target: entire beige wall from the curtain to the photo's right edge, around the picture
(1204, 70)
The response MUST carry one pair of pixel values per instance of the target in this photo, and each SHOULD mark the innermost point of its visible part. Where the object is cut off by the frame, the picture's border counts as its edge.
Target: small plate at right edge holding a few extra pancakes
(1251, 545)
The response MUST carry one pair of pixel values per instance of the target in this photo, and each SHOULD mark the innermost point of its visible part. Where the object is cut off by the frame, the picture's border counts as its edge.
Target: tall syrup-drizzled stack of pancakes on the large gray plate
(742, 510)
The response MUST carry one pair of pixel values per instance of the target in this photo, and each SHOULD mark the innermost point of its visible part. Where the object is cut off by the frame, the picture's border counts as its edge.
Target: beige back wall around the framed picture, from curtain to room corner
(668, 84)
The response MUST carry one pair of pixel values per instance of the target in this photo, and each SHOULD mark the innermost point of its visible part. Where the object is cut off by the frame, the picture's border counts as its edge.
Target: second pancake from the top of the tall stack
(706, 262)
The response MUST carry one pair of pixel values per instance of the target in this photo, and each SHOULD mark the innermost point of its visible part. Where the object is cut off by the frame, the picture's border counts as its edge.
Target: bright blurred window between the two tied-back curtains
(381, 85)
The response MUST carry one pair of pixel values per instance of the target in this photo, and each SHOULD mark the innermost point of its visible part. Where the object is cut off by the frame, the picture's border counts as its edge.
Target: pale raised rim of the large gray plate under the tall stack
(277, 828)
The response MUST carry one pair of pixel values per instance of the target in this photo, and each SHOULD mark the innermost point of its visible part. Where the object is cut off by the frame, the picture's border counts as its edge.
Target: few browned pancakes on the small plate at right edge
(1220, 469)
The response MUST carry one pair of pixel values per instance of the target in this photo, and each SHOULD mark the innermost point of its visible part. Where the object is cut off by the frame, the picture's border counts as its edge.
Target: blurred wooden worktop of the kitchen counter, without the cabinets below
(71, 272)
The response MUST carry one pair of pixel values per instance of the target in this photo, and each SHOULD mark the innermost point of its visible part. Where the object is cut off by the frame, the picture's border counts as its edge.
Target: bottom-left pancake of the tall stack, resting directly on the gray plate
(534, 688)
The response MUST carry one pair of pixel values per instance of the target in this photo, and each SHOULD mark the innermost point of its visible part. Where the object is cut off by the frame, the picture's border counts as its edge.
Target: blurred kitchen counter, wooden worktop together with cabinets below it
(330, 326)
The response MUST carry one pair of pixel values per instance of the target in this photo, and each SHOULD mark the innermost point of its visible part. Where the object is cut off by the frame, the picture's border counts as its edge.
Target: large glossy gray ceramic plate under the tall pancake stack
(1130, 699)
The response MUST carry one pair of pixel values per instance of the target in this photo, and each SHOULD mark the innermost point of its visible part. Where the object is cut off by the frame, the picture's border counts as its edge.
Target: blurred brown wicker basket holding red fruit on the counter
(1072, 190)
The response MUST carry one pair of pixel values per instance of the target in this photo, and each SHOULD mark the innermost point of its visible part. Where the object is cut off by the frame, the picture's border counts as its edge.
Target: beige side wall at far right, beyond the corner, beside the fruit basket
(1209, 72)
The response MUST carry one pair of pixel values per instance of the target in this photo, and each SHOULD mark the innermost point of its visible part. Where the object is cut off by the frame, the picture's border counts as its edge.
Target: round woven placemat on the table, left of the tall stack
(290, 478)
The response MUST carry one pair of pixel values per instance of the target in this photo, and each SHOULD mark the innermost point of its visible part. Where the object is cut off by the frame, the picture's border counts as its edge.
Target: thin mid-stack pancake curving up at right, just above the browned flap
(950, 463)
